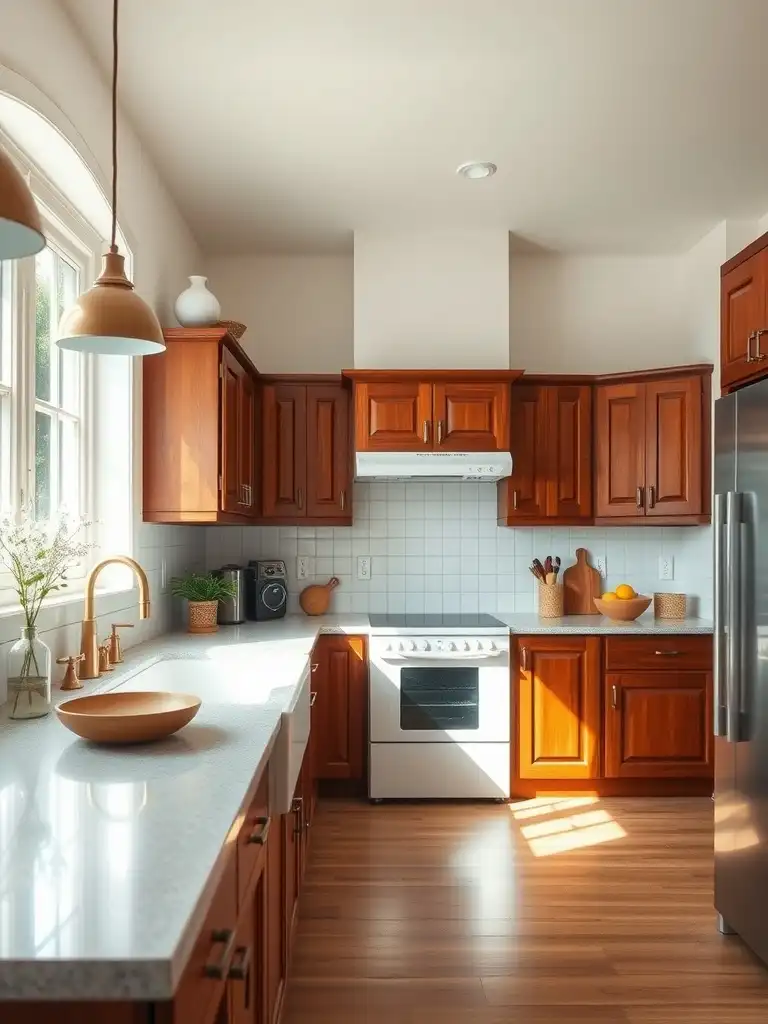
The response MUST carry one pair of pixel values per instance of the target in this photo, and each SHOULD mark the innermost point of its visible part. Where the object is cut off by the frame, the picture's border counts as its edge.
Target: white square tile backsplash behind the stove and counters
(436, 545)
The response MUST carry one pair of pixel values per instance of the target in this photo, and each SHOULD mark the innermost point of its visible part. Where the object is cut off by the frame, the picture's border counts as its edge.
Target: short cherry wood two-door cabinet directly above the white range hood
(432, 410)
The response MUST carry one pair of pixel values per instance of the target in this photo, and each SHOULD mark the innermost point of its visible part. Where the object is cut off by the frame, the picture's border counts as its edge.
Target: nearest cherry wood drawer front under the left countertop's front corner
(203, 983)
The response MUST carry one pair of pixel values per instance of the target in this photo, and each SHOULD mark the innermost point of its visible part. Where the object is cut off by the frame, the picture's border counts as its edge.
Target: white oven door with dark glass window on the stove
(432, 701)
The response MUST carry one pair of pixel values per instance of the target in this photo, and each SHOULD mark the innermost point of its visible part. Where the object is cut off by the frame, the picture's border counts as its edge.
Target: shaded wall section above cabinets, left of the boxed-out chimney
(298, 310)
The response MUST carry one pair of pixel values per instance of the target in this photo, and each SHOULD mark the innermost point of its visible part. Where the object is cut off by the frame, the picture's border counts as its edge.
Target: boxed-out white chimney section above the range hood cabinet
(432, 300)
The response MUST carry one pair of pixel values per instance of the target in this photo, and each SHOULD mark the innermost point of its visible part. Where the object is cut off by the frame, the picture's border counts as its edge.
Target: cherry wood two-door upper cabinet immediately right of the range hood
(551, 444)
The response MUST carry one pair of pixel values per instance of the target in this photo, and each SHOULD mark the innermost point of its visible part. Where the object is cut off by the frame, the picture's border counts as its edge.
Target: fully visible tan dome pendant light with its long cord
(110, 319)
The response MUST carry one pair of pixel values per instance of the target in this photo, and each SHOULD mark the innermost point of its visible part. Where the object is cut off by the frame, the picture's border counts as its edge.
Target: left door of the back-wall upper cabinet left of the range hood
(284, 415)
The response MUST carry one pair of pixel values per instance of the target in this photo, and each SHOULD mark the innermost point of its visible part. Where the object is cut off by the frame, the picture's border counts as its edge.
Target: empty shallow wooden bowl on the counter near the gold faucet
(129, 717)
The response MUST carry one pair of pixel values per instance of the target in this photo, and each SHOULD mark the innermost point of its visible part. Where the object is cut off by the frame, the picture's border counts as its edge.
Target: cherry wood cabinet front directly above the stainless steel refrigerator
(743, 310)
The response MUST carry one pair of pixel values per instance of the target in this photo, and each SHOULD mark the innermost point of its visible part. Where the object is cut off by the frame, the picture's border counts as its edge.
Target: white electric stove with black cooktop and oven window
(440, 708)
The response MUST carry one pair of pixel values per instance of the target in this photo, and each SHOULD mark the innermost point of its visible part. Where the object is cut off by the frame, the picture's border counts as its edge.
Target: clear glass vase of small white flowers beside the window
(37, 553)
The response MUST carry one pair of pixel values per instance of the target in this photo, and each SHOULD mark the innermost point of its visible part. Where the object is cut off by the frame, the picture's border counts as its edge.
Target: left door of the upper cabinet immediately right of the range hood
(524, 496)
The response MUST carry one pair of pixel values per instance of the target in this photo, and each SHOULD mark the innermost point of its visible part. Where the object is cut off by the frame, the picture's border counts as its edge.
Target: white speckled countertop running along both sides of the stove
(109, 857)
